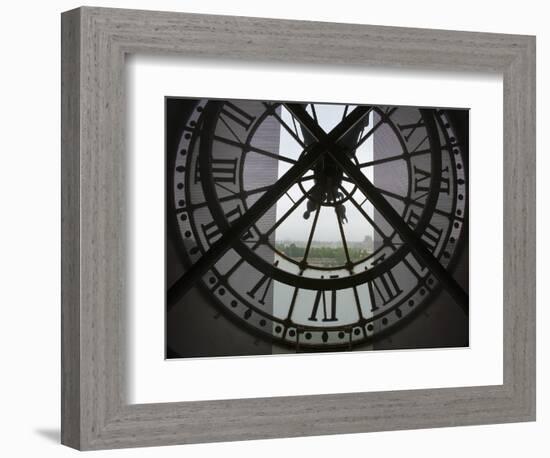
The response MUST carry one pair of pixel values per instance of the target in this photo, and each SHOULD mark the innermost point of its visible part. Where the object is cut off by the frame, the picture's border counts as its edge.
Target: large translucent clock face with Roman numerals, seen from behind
(317, 226)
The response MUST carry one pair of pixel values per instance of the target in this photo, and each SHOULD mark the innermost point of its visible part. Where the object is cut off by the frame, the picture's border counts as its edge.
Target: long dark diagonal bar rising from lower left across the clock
(232, 234)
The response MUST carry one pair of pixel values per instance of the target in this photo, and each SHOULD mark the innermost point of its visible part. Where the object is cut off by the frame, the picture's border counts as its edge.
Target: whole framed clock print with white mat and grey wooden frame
(253, 217)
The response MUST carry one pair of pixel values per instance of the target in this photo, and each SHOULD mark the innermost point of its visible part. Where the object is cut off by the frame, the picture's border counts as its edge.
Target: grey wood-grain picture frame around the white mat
(95, 412)
